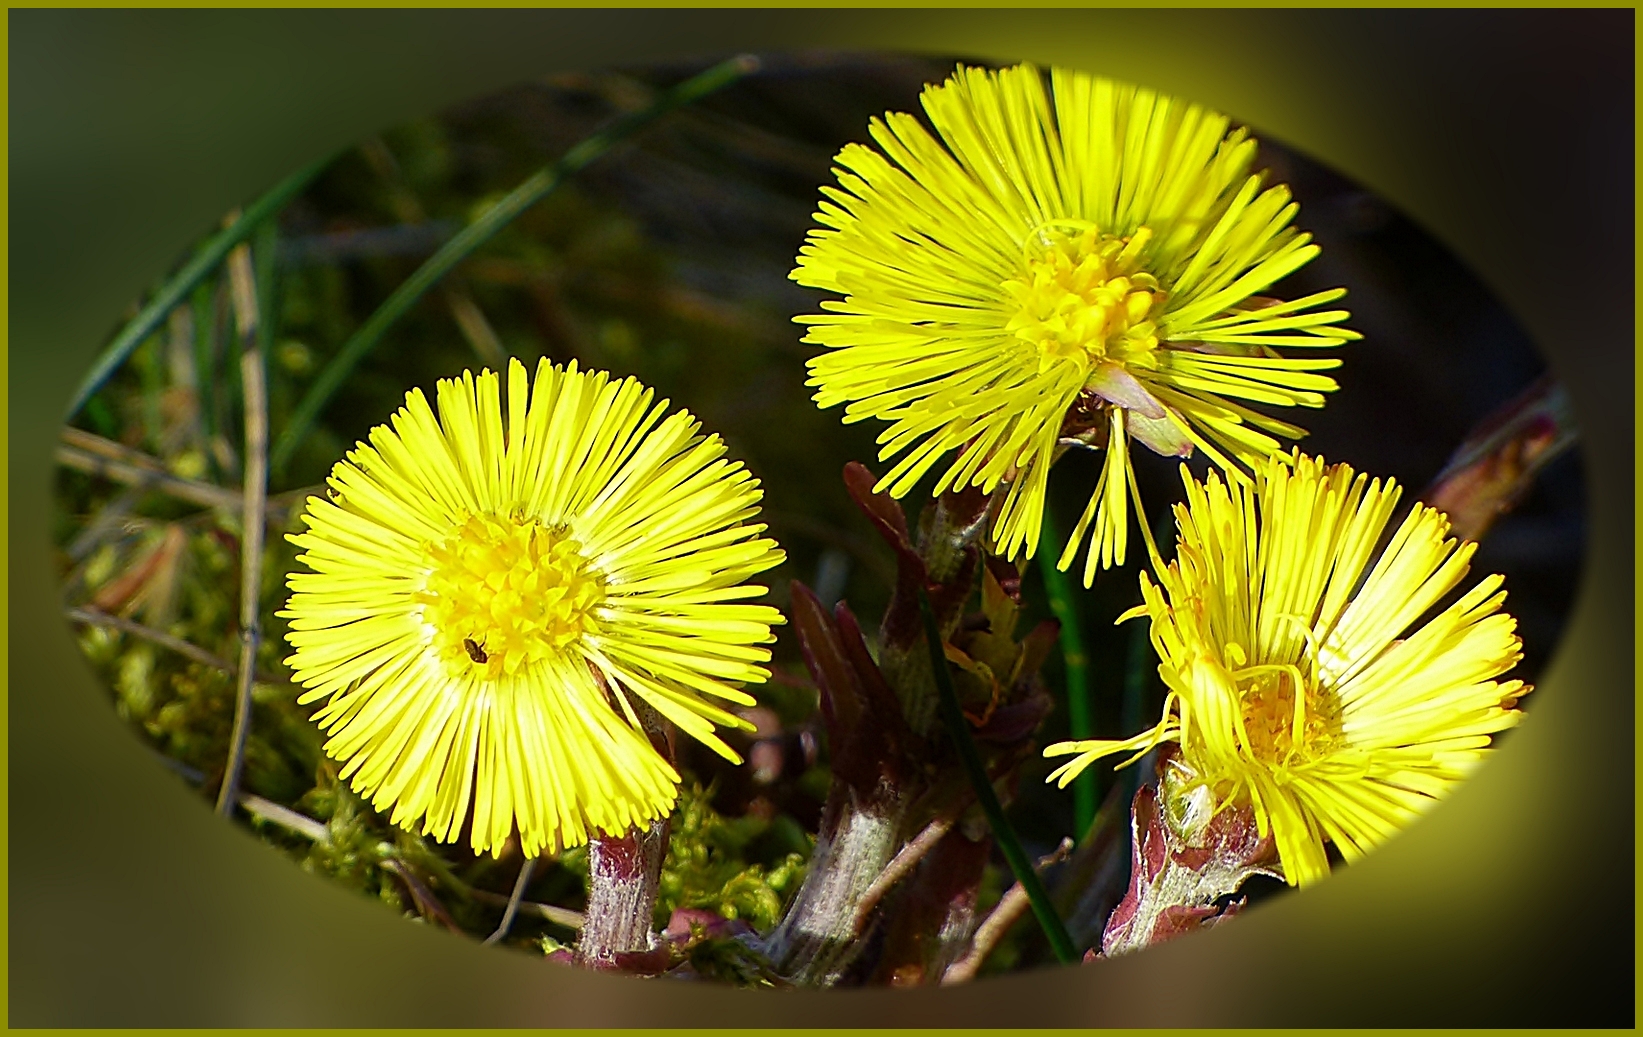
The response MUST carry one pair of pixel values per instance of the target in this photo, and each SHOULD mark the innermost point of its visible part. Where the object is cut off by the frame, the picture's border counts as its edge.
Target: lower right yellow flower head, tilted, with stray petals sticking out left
(1296, 684)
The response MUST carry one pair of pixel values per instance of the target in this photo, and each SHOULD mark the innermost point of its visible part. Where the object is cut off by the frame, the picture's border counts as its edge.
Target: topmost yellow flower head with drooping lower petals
(1084, 269)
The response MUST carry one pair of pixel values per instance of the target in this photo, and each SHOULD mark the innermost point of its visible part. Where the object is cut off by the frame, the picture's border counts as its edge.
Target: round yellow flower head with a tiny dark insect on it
(494, 604)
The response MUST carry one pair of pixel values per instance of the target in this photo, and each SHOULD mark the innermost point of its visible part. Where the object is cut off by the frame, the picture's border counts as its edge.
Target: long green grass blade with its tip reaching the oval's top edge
(481, 231)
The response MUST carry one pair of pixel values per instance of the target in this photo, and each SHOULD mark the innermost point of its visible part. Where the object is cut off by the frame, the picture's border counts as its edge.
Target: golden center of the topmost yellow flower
(1087, 297)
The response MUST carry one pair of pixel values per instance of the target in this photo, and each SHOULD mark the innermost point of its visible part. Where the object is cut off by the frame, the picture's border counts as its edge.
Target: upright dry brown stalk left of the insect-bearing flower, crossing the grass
(255, 397)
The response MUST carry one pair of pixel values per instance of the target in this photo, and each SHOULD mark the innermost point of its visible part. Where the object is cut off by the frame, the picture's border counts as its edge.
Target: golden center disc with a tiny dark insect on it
(505, 594)
